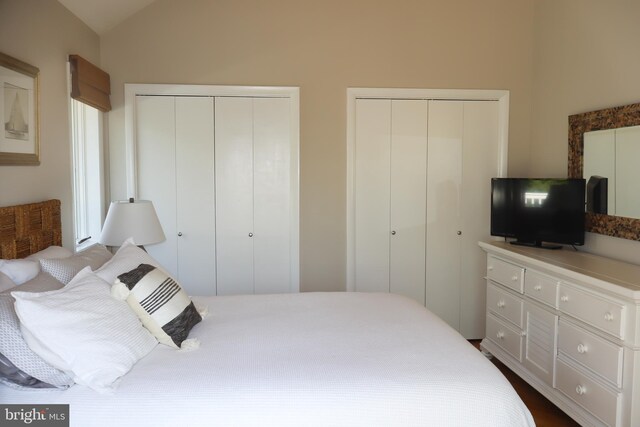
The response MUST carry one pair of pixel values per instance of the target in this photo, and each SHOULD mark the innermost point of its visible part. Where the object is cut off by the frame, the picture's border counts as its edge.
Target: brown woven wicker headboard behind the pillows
(27, 229)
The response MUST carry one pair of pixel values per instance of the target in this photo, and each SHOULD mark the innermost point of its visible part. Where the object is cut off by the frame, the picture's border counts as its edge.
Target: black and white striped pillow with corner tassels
(162, 305)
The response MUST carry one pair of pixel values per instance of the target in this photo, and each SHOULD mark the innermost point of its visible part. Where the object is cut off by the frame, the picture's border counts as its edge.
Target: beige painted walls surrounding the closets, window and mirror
(556, 57)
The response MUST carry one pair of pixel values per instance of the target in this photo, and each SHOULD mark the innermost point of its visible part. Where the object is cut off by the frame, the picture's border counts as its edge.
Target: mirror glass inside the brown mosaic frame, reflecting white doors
(612, 171)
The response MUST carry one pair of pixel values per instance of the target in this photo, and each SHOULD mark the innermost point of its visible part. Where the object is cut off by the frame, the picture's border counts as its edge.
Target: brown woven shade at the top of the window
(89, 84)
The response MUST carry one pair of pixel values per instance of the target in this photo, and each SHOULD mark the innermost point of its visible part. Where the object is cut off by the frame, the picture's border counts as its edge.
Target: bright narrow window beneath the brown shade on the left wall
(88, 173)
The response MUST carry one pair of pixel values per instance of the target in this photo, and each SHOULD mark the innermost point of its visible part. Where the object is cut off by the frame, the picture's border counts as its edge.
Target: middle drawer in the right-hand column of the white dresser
(599, 355)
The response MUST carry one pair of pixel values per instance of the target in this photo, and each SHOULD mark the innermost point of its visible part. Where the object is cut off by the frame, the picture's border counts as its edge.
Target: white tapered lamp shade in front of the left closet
(135, 219)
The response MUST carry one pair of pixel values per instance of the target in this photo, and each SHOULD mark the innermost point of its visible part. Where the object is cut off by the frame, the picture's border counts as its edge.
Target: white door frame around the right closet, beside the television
(502, 96)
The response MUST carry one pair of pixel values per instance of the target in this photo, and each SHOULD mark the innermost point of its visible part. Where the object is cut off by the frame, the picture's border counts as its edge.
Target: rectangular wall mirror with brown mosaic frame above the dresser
(606, 144)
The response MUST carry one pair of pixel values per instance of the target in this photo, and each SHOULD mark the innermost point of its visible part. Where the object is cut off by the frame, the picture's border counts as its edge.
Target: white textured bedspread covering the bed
(326, 359)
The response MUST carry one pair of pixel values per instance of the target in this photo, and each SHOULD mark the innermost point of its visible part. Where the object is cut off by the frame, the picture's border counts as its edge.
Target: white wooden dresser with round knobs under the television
(568, 323)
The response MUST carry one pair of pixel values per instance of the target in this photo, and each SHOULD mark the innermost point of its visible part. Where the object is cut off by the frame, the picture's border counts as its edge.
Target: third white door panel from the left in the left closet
(234, 195)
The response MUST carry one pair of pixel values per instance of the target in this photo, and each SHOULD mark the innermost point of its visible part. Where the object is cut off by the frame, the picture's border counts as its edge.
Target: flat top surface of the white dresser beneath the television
(599, 270)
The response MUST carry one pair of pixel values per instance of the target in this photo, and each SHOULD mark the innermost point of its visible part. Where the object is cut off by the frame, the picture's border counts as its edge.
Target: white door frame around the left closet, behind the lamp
(131, 90)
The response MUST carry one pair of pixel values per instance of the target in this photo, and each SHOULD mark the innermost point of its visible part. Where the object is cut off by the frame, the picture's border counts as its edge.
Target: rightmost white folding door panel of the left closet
(272, 198)
